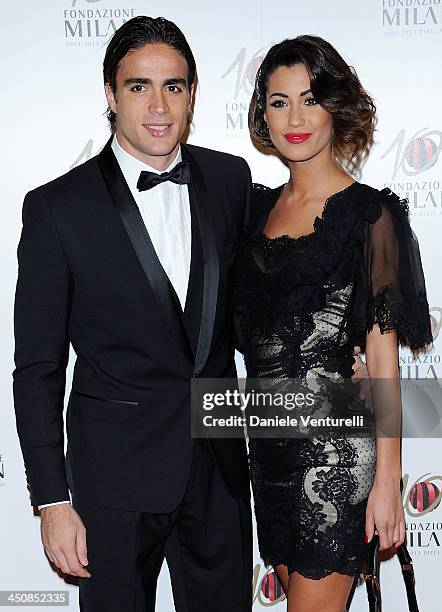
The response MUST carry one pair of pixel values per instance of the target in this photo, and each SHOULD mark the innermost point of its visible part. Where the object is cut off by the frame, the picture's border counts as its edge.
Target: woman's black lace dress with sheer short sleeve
(301, 306)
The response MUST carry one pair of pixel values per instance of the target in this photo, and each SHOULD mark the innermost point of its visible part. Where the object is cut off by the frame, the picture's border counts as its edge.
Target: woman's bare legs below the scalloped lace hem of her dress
(327, 594)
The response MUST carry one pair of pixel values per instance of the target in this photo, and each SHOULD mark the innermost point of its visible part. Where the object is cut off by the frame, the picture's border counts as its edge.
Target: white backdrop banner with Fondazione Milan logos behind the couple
(53, 119)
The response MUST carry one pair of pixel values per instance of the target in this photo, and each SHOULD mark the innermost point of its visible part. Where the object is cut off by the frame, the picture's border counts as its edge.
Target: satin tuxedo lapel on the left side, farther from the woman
(142, 244)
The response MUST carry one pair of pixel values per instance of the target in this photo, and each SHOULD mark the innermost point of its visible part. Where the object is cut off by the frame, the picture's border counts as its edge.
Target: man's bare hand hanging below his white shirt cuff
(64, 539)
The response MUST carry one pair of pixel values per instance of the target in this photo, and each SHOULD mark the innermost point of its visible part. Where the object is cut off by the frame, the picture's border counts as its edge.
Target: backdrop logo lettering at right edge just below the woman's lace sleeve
(426, 365)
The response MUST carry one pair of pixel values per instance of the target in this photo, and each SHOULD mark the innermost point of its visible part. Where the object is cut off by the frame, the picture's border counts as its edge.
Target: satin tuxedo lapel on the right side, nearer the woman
(199, 196)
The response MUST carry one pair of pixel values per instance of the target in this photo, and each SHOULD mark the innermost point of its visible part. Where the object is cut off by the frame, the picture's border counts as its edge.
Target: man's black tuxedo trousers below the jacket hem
(207, 542)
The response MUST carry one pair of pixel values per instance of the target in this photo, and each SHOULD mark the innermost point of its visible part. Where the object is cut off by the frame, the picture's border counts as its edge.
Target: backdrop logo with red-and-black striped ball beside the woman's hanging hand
(422, 497)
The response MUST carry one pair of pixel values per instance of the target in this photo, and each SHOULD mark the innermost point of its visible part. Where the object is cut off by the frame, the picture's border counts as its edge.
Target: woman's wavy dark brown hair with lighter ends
(334, 85)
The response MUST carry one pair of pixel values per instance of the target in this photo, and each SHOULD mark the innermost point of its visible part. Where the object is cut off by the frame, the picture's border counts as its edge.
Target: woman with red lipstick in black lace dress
(328, 263)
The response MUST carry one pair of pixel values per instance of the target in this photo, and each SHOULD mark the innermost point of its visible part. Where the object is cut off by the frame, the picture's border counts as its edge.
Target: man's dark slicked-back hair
(136, 33)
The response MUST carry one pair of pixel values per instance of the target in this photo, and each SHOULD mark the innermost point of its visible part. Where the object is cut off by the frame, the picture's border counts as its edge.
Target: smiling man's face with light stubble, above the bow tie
(152, 103)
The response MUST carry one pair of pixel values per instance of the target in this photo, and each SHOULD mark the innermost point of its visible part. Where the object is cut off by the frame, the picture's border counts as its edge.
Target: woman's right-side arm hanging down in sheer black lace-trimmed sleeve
(395, 303)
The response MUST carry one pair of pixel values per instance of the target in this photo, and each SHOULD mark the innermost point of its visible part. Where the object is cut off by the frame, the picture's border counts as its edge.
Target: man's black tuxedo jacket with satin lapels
(89, 276)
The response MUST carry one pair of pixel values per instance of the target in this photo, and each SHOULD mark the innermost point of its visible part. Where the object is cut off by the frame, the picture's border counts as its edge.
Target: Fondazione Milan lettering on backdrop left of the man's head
(88, 25)
